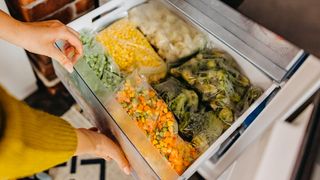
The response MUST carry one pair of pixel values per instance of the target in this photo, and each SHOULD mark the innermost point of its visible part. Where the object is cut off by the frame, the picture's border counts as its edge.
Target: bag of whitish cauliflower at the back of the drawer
(173, 38)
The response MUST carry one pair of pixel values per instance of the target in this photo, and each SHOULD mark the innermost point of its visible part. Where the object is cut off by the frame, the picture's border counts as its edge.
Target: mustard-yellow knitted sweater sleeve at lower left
(32, 140)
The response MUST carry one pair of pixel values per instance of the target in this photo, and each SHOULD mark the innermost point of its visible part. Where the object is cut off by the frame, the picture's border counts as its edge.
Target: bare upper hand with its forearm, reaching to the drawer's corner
(40, 38)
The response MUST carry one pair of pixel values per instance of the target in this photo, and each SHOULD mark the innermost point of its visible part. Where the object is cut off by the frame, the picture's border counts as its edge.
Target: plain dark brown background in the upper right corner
(298, 21)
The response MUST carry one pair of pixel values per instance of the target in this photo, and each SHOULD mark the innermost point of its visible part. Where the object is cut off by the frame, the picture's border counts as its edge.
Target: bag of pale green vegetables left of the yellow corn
(97, 60)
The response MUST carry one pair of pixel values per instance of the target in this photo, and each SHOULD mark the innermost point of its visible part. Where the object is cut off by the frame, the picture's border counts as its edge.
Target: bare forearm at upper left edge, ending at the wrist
(10, 28)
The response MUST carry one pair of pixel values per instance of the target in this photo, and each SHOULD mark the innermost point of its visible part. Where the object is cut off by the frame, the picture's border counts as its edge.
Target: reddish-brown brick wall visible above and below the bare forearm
(38, 10)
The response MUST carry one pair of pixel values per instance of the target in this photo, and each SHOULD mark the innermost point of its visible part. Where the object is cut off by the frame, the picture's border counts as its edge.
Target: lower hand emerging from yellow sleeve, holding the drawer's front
(91, 142)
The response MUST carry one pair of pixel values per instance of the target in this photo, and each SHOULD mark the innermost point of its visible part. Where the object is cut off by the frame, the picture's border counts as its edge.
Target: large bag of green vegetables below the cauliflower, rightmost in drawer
(215, 76)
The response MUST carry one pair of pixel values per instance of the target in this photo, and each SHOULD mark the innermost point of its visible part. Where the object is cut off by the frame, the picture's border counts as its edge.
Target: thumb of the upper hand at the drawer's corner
(59, 56)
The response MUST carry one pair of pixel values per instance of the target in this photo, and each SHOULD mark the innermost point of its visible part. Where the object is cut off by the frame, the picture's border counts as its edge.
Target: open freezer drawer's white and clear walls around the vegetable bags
(107, 114)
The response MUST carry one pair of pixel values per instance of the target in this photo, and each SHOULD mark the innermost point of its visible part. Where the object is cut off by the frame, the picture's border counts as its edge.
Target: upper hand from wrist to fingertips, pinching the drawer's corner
(40, 38)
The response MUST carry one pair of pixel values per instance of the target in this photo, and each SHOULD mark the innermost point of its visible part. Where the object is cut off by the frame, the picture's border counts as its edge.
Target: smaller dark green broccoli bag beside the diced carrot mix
(196, 123)
